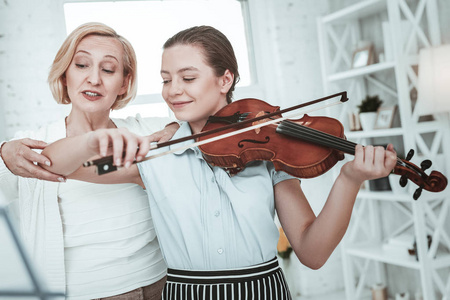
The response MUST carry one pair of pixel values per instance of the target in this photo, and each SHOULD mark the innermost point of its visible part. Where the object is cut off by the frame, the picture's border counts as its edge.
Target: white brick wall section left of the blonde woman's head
(30, 35)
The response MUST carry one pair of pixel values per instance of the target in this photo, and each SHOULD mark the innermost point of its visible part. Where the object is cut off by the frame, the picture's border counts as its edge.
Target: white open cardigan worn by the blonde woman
(33, 203)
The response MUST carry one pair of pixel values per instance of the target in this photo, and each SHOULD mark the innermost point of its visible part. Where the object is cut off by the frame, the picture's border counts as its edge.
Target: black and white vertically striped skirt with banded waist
(263, 281)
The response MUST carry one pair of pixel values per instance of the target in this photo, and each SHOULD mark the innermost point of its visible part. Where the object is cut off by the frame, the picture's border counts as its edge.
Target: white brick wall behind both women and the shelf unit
(32, 31)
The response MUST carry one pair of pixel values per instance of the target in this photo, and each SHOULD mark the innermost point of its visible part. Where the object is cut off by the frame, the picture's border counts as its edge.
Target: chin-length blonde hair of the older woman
(67, 51)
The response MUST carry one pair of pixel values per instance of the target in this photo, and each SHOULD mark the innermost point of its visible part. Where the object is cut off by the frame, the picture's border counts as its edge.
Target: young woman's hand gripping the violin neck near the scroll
(370, 162)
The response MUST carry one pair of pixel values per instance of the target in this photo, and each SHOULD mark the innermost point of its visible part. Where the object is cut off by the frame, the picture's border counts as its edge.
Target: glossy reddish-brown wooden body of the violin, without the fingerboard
(291, 155)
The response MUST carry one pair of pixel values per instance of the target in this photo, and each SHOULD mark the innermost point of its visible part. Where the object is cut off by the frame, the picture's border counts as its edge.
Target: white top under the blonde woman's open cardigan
(110, 244)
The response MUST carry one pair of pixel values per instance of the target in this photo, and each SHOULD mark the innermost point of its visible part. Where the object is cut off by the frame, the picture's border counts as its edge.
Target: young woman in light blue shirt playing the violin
(217, 231)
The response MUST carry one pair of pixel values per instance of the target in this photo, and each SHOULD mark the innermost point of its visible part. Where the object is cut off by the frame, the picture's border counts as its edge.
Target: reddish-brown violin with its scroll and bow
(251, 130)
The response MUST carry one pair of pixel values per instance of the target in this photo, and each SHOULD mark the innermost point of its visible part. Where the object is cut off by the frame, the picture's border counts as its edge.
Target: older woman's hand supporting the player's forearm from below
(20, 159)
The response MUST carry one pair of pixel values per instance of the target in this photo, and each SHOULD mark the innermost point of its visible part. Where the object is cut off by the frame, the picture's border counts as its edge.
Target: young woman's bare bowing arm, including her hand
(69, 154)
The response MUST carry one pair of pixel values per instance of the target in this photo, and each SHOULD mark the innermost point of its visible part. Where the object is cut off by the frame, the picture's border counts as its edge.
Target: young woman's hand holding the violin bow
(124, 145)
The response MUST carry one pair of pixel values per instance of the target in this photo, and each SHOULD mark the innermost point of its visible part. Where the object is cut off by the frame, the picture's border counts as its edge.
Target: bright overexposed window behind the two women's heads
(148, 24)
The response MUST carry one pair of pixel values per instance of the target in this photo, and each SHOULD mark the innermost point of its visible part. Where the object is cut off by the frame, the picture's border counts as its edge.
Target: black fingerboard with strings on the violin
(315, 136)
